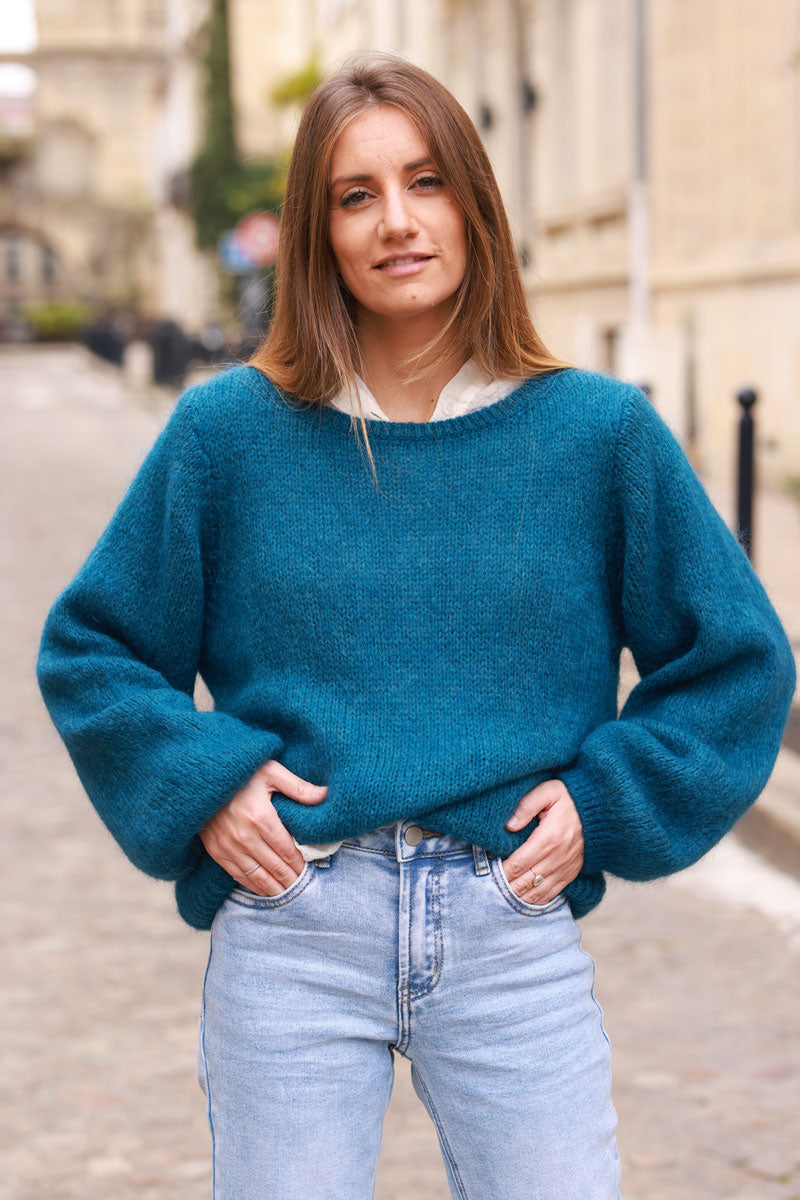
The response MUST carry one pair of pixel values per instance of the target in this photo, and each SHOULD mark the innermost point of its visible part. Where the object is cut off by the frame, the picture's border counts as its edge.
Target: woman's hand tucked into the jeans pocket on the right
(554, 851)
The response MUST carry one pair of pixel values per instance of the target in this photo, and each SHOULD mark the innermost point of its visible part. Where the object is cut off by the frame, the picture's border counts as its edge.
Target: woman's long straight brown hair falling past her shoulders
(311, 350)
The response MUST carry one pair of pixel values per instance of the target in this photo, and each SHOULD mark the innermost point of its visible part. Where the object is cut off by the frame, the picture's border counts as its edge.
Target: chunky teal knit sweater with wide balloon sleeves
(430, 649)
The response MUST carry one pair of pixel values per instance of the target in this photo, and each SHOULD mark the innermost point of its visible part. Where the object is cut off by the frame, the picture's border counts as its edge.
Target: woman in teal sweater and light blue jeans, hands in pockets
(414, 777)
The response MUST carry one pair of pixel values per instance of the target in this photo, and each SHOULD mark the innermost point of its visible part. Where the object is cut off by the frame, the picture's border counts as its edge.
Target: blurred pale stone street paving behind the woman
(697, 975)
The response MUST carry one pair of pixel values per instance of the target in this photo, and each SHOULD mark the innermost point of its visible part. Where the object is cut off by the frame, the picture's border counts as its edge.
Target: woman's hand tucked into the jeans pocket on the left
(249, 832)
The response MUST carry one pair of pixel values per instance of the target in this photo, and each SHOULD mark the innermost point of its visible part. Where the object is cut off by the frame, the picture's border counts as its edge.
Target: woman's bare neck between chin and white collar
(386, 345)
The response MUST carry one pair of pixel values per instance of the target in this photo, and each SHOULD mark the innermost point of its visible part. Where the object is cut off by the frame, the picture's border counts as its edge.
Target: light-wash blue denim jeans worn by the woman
(419, 946)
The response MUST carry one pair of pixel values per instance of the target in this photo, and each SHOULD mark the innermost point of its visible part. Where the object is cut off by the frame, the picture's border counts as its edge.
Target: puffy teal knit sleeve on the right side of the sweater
(699, 737)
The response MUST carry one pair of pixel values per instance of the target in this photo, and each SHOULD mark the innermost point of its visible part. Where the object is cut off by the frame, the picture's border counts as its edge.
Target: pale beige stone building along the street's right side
(649, 154)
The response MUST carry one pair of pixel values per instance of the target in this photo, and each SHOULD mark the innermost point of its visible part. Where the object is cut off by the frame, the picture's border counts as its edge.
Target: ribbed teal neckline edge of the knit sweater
(423, 431)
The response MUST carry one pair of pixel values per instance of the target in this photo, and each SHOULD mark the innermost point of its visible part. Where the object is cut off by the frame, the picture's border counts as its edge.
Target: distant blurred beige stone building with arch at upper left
(94, 211)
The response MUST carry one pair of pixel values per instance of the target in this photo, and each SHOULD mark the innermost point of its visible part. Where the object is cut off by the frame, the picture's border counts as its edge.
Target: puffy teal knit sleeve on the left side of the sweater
(119, 658)
